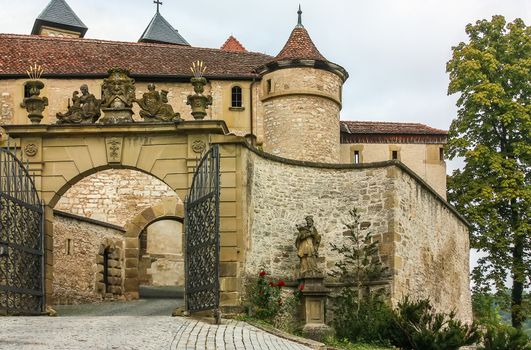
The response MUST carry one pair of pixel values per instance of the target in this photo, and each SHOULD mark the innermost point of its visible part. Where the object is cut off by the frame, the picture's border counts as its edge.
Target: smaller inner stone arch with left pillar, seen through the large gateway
(170, 208)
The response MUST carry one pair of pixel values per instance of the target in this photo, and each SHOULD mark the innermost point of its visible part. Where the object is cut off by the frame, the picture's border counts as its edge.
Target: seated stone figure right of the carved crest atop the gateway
(155, 106)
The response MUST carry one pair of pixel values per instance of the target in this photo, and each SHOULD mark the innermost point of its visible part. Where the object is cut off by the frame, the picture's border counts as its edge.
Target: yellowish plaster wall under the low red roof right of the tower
(423, 159)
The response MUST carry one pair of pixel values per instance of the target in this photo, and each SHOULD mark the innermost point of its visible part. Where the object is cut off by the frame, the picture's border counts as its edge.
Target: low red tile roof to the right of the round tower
(389, 132)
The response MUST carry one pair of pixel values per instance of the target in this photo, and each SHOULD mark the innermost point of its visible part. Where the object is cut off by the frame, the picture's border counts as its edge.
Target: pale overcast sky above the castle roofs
(394, 50)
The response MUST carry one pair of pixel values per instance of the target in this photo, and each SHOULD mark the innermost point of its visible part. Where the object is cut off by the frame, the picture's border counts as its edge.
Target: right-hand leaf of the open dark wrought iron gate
(202, 236)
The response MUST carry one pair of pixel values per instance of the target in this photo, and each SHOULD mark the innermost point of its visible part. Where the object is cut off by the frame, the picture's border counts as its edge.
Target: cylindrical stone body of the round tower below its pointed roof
(301, 114)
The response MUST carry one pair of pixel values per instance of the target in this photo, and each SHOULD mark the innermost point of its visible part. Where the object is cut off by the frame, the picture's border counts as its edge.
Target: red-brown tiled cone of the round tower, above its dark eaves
(299, 46)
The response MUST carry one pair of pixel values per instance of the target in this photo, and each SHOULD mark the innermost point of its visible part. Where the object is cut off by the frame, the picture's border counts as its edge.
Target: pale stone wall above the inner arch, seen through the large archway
(114, 196)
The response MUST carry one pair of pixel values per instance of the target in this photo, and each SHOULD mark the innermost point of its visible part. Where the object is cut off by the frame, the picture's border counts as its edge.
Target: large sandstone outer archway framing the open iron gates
(61, 155)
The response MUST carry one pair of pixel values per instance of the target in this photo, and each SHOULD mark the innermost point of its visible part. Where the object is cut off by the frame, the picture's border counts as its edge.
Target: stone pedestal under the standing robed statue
(314, 308)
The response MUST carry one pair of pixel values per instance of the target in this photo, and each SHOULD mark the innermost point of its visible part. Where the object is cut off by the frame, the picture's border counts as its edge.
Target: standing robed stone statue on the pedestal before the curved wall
(307, 244)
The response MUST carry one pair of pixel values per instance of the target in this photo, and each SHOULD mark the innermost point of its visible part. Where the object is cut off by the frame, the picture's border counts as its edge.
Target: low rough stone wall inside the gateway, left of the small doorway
(76, 248)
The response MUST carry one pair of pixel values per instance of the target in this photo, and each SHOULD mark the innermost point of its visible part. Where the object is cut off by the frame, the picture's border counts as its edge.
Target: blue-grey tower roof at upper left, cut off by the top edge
(59, 14)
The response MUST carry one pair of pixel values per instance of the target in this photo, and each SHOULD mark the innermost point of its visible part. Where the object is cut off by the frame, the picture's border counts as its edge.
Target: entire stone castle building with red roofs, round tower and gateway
(288, 106)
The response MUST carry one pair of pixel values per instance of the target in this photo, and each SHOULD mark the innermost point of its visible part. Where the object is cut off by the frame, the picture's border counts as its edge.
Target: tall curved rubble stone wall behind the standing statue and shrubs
(422, 241)
